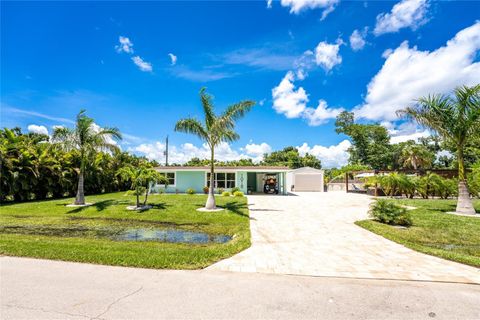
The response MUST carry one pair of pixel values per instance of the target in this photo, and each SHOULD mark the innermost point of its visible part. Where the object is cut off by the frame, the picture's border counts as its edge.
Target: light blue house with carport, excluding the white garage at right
(247, 179)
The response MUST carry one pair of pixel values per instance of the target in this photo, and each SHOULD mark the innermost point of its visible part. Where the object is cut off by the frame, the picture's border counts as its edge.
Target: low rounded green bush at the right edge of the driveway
(388, 212)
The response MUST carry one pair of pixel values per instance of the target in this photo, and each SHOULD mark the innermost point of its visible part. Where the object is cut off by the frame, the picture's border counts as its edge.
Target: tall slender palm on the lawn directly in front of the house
(215, 130)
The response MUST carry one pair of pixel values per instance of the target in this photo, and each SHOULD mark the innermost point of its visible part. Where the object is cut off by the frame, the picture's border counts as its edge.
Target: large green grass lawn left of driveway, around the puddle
(49, 229)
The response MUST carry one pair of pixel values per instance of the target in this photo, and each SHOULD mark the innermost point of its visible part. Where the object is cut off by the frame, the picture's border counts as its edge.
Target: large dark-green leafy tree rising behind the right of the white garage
(370, 142)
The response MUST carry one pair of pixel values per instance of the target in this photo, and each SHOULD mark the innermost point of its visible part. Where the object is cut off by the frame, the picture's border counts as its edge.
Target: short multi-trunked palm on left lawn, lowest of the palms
(141, 178)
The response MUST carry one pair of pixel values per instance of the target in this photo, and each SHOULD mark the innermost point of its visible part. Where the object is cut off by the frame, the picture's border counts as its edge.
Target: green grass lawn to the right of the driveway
(434, 232)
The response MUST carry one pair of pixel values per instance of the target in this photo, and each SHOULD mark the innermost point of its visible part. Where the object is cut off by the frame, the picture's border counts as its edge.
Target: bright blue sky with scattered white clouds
(140, 66)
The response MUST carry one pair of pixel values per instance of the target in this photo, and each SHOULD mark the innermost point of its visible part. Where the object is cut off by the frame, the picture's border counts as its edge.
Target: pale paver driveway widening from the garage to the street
(315, 234)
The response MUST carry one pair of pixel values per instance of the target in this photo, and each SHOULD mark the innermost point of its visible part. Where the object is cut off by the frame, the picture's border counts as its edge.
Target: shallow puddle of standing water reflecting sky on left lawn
(171, 235)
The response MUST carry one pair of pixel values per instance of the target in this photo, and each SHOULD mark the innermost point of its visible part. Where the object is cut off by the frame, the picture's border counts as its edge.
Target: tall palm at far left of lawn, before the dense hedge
(88, 139)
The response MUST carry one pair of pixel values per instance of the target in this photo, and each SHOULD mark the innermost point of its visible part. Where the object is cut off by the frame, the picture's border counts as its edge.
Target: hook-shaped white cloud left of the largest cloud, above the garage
(292, 102)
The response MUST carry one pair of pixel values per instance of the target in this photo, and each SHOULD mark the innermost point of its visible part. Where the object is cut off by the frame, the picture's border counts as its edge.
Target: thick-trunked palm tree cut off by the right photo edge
(456, 118)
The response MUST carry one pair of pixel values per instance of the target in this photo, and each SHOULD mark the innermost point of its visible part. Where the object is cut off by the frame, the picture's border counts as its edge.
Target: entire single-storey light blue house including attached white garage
(249, 179)
